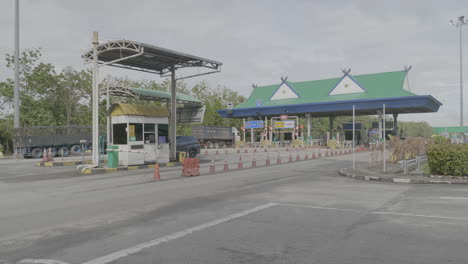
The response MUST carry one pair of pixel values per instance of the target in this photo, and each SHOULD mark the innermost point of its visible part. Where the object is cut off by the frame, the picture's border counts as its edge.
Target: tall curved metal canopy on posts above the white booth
(139, 56)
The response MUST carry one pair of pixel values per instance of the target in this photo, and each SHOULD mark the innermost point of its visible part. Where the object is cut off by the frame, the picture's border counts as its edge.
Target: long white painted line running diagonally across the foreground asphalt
(135, 249)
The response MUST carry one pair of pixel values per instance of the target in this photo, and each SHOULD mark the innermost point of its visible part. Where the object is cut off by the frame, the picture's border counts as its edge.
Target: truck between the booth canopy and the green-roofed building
(212, 136)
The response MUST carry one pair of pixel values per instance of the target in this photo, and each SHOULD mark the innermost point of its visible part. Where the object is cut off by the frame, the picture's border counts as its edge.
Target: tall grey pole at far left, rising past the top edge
(16, 102)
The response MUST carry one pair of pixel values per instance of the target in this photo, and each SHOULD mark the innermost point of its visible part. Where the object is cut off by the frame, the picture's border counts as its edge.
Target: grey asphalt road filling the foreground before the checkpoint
(291, 213)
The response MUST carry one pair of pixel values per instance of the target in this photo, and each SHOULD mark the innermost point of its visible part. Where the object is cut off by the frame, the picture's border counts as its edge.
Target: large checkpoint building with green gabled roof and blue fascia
(370, 94)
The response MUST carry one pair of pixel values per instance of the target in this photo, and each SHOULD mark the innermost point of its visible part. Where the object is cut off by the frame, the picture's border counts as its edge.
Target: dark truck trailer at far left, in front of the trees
(30, 142)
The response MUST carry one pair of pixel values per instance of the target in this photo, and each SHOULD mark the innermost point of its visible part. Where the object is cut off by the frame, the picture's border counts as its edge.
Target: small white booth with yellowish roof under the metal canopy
(140, 133)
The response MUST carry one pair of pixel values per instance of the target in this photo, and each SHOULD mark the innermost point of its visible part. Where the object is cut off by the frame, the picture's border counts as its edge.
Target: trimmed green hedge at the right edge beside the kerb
(448, 159)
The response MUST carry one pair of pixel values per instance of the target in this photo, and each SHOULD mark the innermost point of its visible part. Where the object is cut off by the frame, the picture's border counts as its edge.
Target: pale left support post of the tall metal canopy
(95, 100)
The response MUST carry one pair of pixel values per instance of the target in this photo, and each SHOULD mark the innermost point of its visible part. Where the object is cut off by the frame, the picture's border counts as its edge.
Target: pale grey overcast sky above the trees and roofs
(260, 41)
